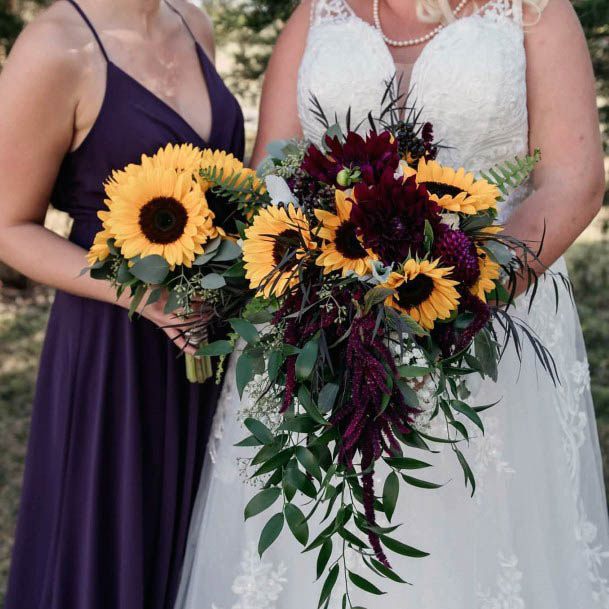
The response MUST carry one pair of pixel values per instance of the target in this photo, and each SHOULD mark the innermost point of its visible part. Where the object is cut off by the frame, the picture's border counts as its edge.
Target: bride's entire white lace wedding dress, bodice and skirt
(535, 536)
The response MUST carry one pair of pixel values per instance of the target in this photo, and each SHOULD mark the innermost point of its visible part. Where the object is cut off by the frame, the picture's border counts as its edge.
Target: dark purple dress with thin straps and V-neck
(118, 435)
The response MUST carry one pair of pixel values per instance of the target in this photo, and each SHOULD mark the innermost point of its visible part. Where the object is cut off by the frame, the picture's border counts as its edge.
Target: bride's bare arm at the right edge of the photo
(570, 180)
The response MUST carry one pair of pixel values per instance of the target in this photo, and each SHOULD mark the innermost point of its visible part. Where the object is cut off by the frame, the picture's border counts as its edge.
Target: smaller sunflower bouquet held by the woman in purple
(161, 239)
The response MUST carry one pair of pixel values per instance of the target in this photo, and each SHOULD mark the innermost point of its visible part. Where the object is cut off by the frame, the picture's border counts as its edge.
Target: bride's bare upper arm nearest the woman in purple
(278, 106)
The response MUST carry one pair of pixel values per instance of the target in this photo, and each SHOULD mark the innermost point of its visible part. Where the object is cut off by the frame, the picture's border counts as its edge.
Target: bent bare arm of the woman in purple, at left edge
(40, 91)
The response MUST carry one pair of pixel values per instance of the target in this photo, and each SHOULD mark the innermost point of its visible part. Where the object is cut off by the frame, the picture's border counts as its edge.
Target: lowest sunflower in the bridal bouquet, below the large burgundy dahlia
(423, 292)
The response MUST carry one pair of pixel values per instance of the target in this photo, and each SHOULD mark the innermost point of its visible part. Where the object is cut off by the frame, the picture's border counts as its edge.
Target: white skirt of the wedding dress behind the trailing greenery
(535, 535)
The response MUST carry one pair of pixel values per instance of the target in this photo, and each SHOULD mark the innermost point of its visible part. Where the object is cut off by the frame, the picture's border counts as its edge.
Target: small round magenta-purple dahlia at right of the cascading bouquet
(456, 249)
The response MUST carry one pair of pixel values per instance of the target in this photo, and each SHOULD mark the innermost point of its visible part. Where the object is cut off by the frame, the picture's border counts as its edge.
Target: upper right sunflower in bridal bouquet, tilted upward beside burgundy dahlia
(456, 190)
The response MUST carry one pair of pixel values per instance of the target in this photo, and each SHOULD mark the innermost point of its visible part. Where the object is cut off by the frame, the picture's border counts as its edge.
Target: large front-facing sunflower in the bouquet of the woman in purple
(159, 211)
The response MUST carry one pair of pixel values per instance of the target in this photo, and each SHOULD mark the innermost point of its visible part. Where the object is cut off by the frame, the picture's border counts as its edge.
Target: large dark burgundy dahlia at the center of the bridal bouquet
(390, 217)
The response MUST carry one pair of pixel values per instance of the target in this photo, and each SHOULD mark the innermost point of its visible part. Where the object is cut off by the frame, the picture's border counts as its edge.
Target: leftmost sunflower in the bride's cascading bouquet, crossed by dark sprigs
(278, 238)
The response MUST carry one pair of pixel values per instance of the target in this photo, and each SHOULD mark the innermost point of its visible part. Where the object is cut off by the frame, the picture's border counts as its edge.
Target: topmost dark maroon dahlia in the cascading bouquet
(371, 156)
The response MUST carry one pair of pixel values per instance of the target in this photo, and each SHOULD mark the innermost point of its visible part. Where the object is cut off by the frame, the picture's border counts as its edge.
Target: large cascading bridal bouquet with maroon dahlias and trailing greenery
(382, 282)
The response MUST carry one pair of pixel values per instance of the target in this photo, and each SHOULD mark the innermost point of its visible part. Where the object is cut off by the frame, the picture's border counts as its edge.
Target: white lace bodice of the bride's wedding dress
(469, 81)
